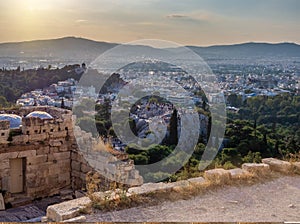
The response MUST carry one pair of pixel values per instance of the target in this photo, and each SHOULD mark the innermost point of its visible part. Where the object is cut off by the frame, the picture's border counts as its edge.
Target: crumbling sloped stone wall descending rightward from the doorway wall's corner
(109, 166)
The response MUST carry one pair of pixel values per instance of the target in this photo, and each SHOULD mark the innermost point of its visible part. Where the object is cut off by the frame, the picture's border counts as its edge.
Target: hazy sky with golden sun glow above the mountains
(197, 22)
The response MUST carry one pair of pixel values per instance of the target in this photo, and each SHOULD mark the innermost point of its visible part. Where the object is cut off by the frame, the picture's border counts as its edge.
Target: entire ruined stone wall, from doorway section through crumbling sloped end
(51, 155)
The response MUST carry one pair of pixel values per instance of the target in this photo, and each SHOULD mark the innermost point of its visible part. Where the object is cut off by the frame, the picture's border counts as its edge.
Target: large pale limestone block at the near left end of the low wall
(67, 210)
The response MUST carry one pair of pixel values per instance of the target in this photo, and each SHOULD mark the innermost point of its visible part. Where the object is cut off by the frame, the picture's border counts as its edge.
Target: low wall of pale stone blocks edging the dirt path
(69, 210)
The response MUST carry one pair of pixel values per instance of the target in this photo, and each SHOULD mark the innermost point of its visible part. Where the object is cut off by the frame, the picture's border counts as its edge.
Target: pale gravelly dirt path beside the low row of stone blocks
(274, 201)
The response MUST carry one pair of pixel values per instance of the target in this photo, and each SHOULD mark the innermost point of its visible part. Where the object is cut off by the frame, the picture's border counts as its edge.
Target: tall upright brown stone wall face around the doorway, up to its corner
(44, 146)
